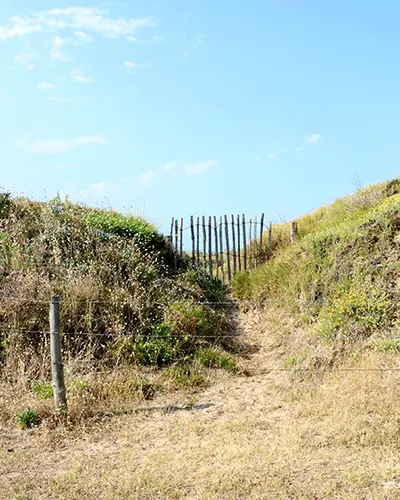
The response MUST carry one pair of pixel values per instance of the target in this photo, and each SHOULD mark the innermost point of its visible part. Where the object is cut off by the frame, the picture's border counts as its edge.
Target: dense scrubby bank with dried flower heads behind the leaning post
(121, 300)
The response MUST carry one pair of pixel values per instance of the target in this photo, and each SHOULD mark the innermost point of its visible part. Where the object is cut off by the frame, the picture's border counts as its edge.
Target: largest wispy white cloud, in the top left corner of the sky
(81, 19)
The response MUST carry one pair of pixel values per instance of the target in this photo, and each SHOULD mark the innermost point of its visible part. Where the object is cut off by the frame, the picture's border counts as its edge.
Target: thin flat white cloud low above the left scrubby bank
(58, 146)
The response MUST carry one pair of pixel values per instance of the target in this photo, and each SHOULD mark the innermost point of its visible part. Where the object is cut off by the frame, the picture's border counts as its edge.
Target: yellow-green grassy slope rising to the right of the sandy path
(341, 276)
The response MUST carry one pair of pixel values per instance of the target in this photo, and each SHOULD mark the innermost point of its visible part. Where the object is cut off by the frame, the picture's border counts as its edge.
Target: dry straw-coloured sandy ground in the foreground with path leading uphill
(262, 434)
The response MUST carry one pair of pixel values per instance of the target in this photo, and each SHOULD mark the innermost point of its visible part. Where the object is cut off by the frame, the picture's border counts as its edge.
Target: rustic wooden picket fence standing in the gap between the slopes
(221, 249)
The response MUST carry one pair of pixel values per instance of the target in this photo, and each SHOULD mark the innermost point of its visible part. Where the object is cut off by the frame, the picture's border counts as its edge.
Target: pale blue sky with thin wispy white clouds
(210, 107)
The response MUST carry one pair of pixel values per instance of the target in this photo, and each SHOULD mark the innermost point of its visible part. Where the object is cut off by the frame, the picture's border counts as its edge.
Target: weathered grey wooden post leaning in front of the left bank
(57, 369)
